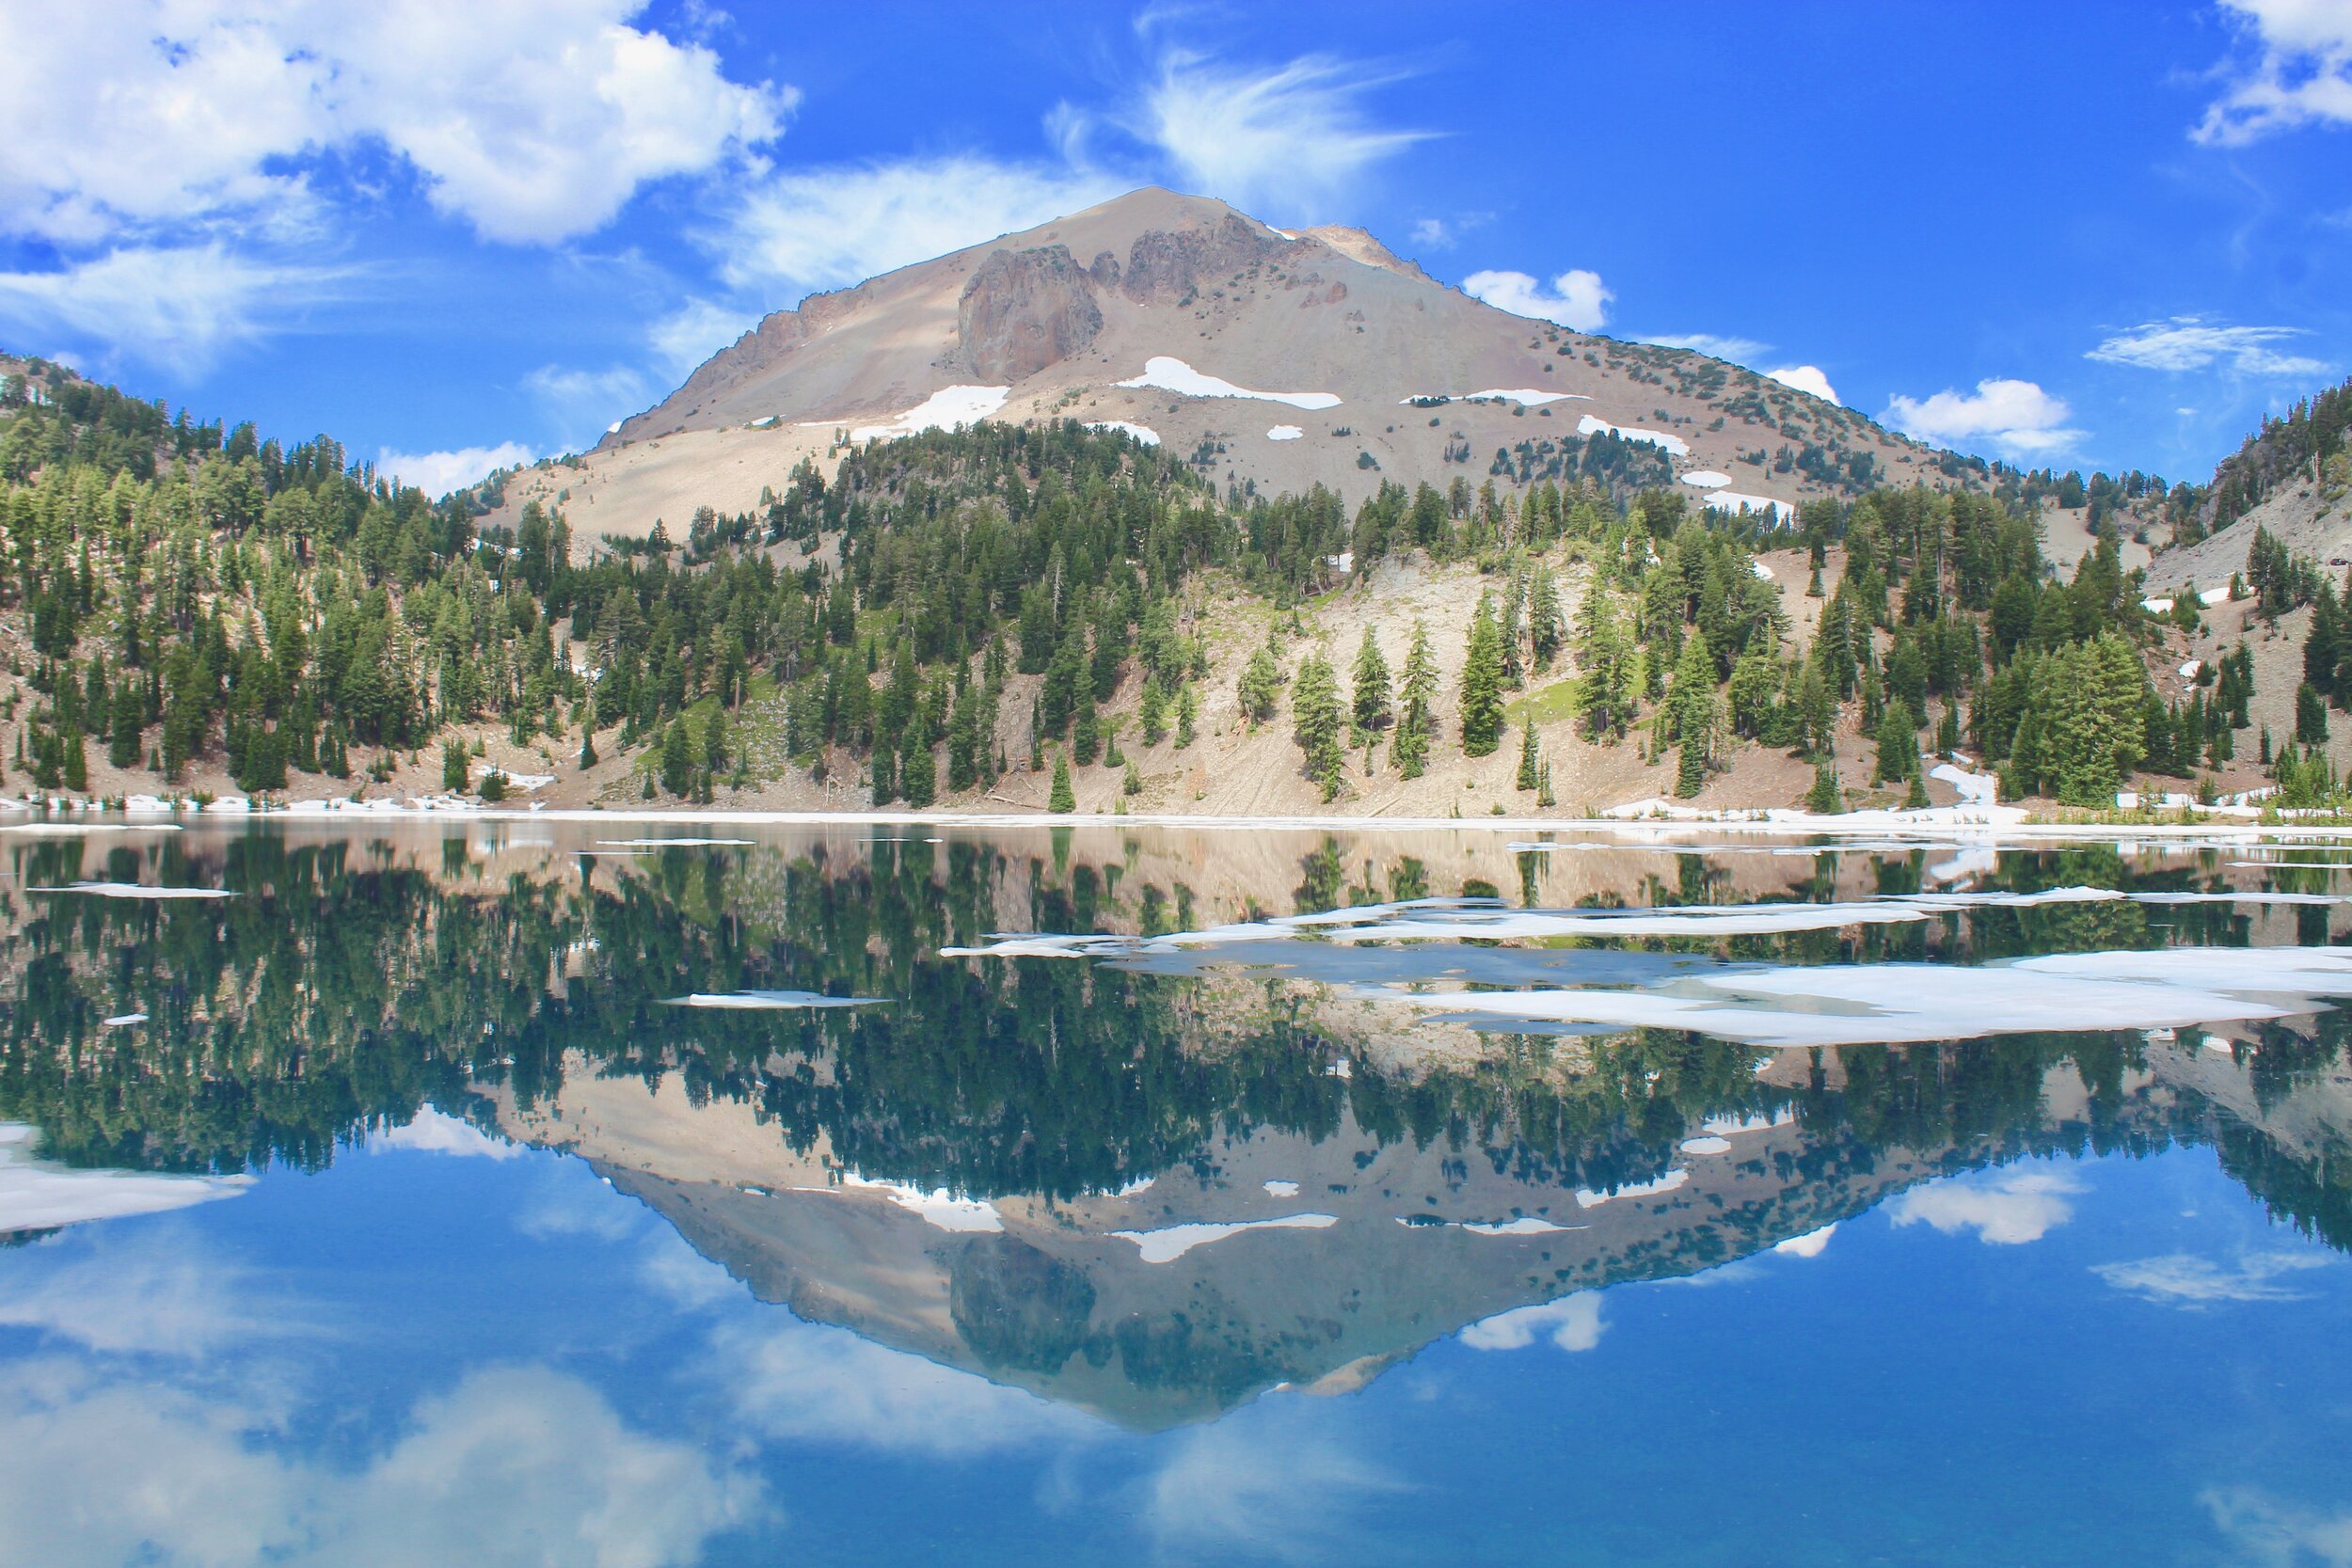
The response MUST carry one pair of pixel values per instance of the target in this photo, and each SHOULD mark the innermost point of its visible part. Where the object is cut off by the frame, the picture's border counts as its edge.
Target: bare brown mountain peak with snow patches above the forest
(1151, 311)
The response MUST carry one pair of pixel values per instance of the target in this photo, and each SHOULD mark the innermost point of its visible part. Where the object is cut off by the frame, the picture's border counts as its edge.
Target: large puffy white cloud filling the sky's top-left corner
(530, 121)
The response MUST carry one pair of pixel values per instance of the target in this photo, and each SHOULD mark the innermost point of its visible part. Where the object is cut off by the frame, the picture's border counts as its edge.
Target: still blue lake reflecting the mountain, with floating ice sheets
(650, 1193)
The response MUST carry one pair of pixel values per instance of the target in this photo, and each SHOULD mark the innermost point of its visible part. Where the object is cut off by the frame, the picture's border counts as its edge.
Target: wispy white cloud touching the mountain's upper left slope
(846, 225)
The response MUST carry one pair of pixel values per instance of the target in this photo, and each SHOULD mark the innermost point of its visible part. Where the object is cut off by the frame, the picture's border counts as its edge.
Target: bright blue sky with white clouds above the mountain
(462, 234)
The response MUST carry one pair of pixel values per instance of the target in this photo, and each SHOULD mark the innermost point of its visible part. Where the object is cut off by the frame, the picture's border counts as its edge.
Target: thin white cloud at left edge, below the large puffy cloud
(178, 307)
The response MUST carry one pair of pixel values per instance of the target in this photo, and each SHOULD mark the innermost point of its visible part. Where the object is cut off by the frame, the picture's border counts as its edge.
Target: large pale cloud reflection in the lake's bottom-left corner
(512, 1468)
